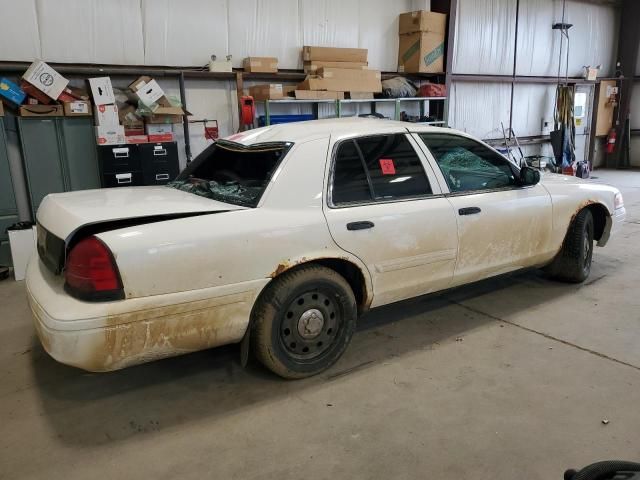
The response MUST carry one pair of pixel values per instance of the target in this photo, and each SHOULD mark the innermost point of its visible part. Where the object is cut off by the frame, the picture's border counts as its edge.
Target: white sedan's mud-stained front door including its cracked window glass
(502, 226)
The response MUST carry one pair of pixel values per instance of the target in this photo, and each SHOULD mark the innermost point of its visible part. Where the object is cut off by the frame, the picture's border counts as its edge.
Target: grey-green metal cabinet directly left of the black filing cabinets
(59, 155)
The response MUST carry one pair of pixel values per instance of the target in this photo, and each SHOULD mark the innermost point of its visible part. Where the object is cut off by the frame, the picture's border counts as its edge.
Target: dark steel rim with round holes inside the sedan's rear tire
(310, 325)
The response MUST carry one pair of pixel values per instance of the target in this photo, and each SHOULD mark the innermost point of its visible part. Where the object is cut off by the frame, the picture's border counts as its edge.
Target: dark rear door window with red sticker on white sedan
(378, 168)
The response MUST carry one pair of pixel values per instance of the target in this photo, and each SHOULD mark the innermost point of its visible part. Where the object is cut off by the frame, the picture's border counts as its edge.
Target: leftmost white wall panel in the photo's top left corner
(19, 35)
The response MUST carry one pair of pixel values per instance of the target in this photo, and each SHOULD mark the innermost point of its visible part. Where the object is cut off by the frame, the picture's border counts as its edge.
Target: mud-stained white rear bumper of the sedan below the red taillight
(112, 335)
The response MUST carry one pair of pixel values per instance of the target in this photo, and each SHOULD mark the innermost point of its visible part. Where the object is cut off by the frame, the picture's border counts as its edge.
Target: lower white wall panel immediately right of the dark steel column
(478, 108)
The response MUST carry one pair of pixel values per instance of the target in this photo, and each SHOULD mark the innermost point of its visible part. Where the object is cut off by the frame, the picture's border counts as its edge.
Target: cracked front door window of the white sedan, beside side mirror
(468, 165)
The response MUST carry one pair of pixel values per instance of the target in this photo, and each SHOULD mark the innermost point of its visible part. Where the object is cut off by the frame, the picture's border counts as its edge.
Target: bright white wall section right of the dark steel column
(485, 44)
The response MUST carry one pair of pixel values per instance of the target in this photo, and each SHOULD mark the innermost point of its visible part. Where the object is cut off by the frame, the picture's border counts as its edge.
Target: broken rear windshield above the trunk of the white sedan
(232, 173)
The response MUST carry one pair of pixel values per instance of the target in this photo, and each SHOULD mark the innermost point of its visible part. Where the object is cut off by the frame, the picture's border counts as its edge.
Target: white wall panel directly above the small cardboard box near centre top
(265, 28)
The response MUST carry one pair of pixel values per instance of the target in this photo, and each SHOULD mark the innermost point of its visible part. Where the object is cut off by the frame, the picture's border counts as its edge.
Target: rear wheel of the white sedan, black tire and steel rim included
(303, 321)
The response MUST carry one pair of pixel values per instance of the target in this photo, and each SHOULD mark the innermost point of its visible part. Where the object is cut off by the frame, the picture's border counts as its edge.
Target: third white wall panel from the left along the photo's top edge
(184, 33)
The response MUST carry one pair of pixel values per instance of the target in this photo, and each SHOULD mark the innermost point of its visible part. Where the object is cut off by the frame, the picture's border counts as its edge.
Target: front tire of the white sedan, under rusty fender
(573, 263)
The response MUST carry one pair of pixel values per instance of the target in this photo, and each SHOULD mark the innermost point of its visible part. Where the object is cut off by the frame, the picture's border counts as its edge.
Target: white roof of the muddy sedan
(339, 127)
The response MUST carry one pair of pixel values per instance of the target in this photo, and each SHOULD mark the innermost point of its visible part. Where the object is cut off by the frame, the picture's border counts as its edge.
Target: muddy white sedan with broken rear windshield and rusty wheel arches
(281, 237)
